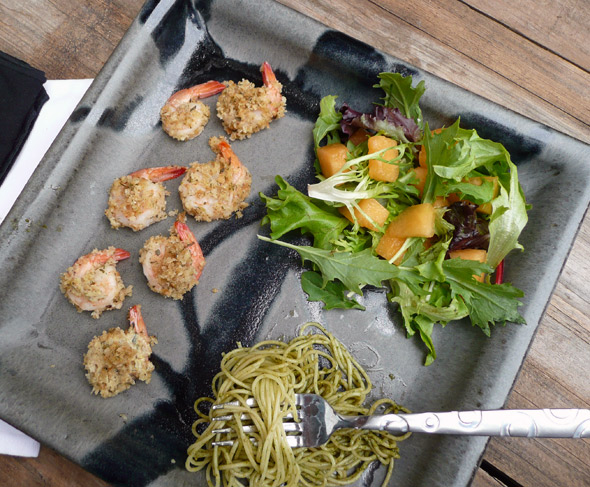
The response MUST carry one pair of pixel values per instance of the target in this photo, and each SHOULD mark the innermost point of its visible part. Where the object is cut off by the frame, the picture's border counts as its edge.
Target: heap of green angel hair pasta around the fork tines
(272, 372)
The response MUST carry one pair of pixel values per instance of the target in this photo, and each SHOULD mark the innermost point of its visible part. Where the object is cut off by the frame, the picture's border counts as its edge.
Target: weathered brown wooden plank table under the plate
(532, 57)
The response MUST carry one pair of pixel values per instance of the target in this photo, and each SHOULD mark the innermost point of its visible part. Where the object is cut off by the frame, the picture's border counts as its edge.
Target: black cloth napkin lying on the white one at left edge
(21, 97)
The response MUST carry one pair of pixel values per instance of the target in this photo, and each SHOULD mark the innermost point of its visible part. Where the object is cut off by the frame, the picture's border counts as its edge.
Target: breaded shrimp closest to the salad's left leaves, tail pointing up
(216, 189)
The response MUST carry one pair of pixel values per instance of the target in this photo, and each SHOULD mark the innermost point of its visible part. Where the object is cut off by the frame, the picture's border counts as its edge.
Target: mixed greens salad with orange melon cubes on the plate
(430, 215)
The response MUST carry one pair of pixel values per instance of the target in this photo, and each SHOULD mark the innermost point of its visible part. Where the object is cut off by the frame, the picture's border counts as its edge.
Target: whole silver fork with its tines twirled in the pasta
(318, 420)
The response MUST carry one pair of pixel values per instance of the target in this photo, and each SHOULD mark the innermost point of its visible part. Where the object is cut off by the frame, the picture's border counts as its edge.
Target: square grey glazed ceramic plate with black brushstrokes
(140, 437)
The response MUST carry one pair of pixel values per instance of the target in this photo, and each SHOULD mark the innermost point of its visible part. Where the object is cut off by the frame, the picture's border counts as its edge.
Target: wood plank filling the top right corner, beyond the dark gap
(558, 29)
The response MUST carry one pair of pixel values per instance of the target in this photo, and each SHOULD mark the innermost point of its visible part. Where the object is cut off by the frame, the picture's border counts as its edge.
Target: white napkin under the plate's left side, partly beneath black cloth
(64, 96)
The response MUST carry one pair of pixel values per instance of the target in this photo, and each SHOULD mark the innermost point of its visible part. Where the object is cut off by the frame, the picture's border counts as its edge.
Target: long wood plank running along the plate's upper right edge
(451, 40)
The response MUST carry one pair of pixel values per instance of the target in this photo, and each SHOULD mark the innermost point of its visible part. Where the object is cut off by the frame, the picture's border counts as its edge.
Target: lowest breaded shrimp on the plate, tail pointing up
(117, 358)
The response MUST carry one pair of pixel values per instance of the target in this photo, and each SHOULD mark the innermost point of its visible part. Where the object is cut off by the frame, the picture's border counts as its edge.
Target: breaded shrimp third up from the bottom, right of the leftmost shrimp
(172, 265)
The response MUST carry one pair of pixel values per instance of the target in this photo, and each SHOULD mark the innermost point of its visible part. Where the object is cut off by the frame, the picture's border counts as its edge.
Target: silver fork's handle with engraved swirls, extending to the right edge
(531, 423)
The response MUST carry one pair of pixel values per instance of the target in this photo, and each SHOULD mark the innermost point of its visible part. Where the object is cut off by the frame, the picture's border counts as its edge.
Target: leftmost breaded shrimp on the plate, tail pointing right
(93, 283)
